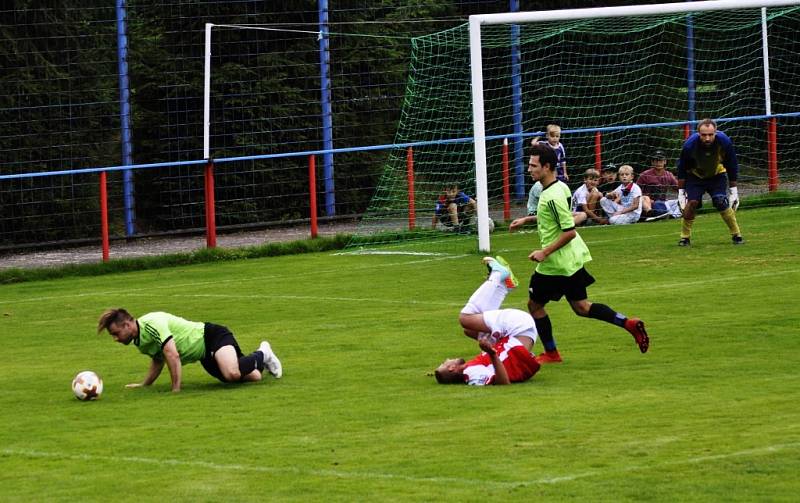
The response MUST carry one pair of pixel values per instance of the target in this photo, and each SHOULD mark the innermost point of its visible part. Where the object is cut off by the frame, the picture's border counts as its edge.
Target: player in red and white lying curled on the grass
(506, 336)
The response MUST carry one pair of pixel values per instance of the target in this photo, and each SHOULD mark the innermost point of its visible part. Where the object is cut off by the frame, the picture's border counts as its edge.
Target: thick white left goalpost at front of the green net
(481, 192)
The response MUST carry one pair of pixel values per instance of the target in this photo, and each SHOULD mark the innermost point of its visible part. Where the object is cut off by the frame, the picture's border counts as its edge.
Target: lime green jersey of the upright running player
(554, 217)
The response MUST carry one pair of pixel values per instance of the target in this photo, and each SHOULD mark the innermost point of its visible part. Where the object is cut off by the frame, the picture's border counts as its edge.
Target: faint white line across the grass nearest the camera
(472, 481)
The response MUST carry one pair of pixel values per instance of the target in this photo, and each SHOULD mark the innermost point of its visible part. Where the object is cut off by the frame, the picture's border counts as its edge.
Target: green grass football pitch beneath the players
(711, 413)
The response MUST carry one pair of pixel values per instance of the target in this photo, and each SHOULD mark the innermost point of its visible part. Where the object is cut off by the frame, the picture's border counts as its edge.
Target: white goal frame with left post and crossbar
(476, 67)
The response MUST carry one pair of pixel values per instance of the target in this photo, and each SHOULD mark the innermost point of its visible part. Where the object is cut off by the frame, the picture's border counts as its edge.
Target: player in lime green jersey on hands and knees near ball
(169, 339)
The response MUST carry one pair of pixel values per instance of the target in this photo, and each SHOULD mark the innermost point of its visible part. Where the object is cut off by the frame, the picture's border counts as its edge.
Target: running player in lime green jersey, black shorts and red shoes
(560, 261)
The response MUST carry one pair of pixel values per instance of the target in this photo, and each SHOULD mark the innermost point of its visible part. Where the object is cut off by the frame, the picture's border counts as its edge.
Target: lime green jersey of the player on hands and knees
(155, 329)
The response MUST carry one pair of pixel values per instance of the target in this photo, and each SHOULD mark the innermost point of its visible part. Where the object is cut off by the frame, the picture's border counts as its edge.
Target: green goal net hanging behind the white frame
(620, 88)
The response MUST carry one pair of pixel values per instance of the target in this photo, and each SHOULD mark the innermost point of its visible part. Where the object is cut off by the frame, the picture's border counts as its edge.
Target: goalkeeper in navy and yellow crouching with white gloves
(708, 164)
